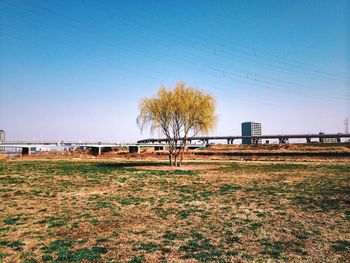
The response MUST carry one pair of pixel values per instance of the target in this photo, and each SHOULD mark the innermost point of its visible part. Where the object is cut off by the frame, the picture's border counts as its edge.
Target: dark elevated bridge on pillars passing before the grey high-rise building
(282, 138)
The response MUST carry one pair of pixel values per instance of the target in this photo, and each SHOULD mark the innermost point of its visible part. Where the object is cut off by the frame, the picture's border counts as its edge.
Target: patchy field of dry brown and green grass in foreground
(104, 211)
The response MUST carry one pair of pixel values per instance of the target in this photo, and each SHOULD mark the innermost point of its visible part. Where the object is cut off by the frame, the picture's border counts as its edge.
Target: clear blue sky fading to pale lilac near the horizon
(75, 70)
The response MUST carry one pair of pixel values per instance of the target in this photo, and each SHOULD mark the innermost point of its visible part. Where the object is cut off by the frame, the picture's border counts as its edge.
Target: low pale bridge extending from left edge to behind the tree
(97, 148)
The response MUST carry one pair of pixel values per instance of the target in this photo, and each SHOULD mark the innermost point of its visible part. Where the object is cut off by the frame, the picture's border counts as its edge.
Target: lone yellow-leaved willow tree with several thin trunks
(178, 113)
